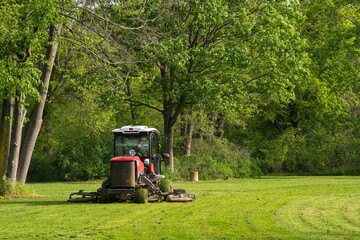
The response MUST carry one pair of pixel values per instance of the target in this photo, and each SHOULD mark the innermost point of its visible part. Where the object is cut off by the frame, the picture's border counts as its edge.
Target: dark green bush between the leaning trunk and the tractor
(80, 159)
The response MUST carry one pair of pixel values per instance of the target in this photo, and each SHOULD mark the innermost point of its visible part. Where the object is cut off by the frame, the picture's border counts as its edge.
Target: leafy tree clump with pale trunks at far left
(25, 28)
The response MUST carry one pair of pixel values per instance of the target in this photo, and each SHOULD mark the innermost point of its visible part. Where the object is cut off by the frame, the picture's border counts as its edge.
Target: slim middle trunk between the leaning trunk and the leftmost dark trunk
(15, 145)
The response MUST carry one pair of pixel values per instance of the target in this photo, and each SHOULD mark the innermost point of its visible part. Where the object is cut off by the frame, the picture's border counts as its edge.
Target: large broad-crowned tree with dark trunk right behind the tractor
(216, 50)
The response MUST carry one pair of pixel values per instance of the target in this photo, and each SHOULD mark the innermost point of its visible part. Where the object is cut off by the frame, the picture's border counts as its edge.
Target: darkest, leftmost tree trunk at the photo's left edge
(5, 132)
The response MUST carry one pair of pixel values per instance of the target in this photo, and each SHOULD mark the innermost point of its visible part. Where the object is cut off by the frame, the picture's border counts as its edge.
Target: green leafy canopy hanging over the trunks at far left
(23, 35)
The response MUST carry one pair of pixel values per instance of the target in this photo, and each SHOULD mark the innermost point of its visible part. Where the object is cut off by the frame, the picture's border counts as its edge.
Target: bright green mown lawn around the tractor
(266, 208)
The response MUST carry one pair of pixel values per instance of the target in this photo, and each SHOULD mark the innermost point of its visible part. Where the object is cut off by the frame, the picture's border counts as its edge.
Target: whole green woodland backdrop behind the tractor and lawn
(237, 88)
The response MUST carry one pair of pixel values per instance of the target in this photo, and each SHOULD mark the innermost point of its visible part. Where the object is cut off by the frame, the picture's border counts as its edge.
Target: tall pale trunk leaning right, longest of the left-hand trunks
(36, 117)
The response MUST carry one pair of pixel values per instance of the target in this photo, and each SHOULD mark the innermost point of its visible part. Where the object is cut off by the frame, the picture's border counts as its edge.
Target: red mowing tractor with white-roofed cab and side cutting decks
(135, 171)
